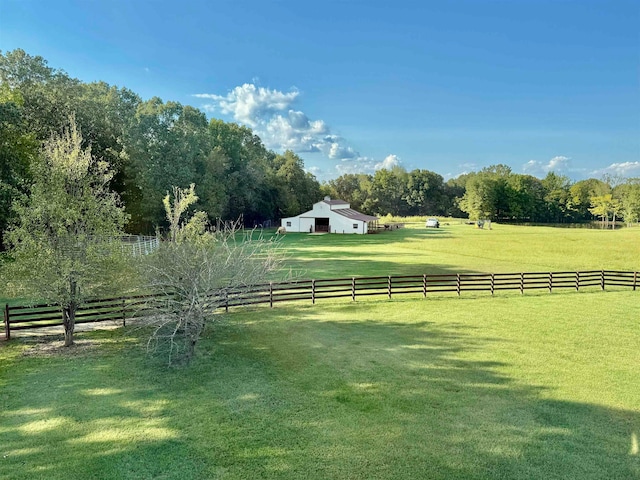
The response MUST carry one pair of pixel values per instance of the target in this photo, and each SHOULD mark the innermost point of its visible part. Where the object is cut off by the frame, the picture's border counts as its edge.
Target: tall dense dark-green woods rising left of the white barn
(149, 146)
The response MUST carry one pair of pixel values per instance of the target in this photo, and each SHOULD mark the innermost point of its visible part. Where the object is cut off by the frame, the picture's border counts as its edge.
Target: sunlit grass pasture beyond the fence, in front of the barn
(458, 248)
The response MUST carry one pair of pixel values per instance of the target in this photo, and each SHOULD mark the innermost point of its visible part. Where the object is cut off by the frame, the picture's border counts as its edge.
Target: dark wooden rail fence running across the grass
(119, 309)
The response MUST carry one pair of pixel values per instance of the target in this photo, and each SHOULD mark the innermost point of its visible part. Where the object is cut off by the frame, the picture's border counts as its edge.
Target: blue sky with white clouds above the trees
(352, 86)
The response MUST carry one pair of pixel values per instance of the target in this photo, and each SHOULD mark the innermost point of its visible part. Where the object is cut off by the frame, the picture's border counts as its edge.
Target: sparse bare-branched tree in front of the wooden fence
(192, 275)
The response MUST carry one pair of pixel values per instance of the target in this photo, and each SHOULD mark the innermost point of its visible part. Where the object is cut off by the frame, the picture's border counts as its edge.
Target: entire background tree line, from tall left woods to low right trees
(152, 145)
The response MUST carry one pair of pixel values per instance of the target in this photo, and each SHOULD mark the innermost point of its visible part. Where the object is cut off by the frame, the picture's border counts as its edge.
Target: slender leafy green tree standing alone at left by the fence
(65, 247)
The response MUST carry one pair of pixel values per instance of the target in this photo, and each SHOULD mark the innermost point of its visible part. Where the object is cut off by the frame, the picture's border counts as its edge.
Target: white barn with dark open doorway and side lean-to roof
(331, 216)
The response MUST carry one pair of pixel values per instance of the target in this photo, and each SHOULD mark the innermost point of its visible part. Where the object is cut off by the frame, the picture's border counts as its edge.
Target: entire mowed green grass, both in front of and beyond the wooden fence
(541, 386)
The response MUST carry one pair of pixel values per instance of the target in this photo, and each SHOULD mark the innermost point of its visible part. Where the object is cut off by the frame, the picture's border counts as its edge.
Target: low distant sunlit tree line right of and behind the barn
(494, 193)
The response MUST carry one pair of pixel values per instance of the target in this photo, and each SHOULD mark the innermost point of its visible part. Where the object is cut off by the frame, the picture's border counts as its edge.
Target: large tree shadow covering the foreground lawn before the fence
(290, 395)
